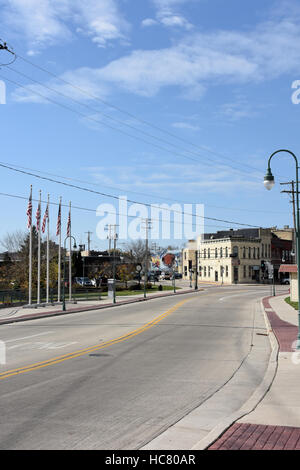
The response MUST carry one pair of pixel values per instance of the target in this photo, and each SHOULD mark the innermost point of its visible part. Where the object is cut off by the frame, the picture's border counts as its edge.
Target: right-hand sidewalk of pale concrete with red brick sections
(275, 422)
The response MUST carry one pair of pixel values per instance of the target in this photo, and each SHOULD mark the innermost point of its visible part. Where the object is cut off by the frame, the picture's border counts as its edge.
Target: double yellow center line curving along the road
(81, 352)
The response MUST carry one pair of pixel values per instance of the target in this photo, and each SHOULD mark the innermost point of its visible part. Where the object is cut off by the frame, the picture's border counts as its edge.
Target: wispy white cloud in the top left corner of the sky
(47, 22)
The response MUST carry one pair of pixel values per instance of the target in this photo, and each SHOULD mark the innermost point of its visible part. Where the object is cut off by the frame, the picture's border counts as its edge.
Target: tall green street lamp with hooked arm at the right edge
(269, 183)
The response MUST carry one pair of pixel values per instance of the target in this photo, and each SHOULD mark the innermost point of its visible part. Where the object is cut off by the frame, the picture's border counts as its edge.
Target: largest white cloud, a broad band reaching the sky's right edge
(197, 62)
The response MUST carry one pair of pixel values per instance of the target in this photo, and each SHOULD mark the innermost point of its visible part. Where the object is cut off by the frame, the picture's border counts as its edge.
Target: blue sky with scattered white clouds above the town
(213, 78)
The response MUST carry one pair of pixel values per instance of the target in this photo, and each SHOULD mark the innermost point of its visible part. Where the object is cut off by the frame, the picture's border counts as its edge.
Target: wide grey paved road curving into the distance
(117, 378)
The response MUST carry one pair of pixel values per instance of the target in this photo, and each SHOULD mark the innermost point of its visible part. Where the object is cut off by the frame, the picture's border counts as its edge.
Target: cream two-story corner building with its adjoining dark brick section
(236, 256)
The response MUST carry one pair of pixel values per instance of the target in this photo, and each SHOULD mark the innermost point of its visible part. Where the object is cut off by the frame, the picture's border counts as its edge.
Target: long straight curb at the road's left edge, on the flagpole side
(36, 316)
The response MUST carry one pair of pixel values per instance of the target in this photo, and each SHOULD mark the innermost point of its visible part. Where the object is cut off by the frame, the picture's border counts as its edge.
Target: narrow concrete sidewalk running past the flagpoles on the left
(16, 314)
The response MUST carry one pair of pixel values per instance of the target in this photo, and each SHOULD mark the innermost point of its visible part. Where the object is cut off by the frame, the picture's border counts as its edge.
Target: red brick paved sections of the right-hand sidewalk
(246, 436)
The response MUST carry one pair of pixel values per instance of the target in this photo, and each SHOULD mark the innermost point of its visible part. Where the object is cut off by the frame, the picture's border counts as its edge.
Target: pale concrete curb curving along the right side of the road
(255, 398)
